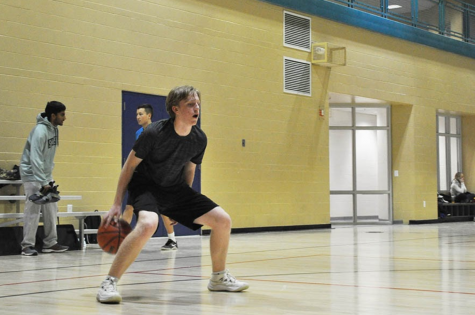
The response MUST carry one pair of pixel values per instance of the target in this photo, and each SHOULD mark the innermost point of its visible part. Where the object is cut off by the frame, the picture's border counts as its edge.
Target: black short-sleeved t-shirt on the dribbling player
(165, 153)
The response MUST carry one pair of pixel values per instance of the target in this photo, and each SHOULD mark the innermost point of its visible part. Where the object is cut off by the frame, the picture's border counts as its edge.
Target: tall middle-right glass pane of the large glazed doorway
(371, 160)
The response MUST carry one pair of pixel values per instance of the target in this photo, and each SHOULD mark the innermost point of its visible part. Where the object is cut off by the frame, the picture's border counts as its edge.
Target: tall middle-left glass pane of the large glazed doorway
(341, 160)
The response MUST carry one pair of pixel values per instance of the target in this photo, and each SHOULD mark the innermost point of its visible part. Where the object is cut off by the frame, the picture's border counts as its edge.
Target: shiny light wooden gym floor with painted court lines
(400, 269)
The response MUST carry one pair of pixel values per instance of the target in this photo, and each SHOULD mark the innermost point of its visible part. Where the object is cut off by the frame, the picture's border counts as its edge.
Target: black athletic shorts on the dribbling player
(180, 203)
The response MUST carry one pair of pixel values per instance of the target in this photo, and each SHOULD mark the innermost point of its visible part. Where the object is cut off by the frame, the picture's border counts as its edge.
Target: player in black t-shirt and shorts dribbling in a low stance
(164, 160)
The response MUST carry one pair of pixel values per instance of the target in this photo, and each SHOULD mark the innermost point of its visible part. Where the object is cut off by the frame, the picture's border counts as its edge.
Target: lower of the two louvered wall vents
(297, 76)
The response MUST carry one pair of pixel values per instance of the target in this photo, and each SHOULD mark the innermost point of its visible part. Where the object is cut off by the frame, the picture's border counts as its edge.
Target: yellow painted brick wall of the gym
(86, 53)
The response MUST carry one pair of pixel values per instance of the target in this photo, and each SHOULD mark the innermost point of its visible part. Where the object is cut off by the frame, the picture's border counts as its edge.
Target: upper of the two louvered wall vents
(297, 31)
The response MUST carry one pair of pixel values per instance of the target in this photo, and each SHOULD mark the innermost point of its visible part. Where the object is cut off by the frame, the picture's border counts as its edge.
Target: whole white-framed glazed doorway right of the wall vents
(360, 181)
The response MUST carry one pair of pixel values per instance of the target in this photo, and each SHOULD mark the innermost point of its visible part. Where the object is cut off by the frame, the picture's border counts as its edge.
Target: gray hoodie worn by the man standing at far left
(36, 163)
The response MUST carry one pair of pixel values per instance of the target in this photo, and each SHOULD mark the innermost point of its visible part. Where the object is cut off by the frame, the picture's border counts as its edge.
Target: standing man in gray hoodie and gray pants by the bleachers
(36, 168)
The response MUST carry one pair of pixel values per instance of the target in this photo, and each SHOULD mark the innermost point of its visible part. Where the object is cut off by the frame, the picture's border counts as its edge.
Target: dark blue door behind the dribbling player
(130, 102)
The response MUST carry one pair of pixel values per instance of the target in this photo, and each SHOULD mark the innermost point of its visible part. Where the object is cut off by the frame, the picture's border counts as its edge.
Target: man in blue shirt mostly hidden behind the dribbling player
(144, 119)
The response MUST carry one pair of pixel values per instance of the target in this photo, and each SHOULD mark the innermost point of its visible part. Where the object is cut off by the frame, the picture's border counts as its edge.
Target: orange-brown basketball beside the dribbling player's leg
(110, 238)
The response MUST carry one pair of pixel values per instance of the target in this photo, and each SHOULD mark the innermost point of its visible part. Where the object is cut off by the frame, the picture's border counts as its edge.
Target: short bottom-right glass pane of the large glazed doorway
(372, 207)
